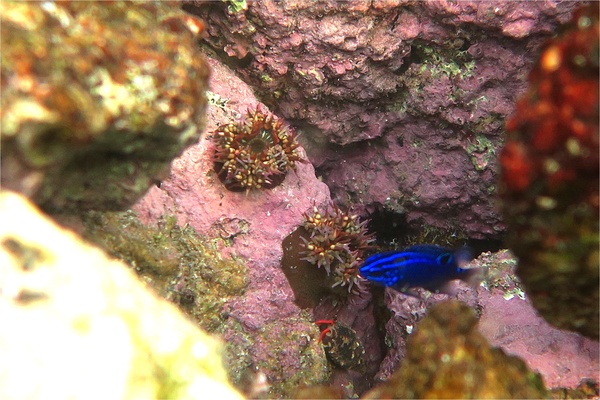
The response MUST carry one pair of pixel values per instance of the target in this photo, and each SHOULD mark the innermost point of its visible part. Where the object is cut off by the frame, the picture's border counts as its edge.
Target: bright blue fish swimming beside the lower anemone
(428, 266)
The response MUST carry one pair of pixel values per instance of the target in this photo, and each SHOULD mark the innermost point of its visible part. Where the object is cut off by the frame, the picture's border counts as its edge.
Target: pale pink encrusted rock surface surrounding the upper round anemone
(268, 336)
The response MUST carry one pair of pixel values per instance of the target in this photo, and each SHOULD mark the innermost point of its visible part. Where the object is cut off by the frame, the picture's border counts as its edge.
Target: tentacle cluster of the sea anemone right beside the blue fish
(337, 243)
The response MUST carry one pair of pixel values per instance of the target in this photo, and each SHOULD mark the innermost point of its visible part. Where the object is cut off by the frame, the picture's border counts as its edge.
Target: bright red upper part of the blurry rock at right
(553, 136)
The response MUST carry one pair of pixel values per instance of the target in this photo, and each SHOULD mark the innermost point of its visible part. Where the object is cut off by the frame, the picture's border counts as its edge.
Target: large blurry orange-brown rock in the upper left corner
(94, 107)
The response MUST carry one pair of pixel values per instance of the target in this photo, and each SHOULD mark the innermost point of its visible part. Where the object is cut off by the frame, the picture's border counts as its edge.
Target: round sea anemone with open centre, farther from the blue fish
(254, 153)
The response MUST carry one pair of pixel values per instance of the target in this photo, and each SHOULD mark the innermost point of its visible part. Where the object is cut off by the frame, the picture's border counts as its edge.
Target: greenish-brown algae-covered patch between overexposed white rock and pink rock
(179, 264)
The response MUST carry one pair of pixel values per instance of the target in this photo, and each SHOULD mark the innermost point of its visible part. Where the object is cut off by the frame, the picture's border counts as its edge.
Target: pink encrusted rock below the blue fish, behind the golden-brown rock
(507, 320)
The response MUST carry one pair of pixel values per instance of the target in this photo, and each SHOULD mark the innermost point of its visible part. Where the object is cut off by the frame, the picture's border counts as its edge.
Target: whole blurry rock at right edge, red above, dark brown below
(550, 178)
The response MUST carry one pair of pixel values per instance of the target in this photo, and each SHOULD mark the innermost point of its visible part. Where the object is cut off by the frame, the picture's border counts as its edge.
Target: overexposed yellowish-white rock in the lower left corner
(79, 325)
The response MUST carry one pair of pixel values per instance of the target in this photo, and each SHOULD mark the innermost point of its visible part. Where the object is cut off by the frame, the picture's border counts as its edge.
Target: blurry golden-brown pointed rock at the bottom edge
(448, 358)
